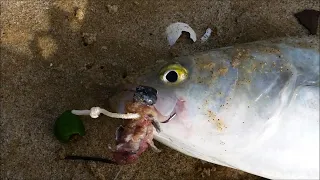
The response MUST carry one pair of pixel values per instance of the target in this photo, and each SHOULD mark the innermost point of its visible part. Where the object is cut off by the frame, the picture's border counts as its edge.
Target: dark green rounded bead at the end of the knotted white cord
(68, 125)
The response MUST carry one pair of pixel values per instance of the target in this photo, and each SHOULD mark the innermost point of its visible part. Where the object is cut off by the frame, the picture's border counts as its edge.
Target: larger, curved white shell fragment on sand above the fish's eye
(174, 31)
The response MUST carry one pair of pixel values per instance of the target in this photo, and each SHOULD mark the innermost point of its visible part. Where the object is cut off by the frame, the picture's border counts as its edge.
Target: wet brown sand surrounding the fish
(72, 54)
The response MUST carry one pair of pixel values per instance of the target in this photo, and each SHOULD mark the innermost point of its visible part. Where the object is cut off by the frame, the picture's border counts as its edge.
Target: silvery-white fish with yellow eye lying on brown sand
(252, 106)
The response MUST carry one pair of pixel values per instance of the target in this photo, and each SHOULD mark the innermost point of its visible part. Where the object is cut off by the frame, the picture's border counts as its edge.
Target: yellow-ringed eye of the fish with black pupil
(173, 74)
